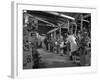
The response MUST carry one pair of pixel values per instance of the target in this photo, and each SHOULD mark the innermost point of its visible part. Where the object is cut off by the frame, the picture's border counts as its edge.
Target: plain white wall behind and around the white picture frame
(5, 38)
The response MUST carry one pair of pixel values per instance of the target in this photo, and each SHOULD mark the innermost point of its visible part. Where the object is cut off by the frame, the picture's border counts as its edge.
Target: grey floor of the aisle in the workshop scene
(52, 60)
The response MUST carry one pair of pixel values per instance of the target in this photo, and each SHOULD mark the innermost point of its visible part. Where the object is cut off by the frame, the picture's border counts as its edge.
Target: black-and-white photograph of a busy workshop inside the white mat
(53, 39)
